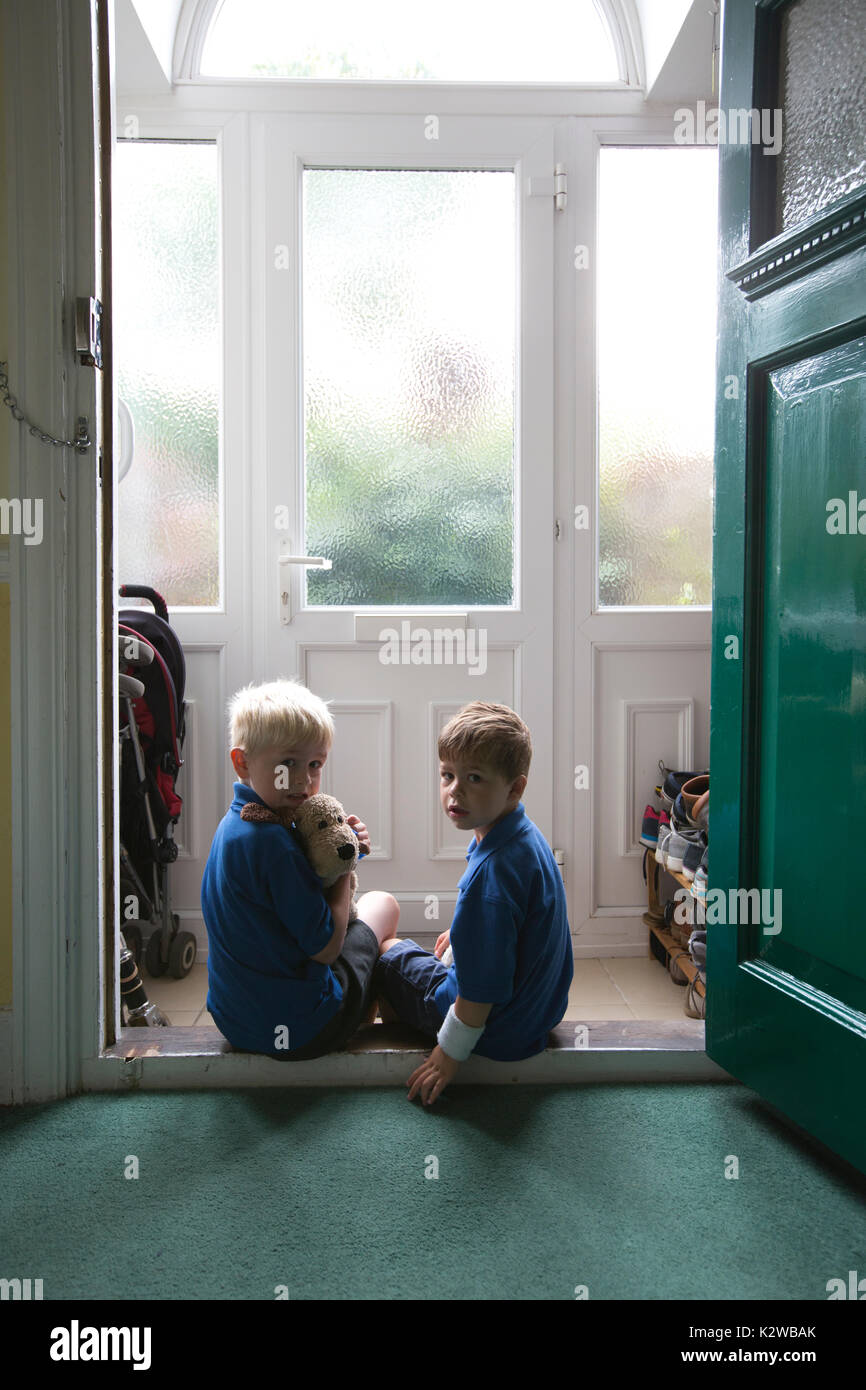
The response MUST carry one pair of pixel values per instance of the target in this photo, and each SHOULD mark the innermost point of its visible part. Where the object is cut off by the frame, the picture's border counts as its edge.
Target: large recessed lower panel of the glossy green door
(812, 715)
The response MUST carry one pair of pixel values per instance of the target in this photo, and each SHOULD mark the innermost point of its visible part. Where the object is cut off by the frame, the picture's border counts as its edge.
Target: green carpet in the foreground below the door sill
(540, 1189)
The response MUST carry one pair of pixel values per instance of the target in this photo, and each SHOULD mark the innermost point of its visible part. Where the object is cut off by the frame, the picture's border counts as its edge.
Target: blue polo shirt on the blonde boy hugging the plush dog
(266, 915)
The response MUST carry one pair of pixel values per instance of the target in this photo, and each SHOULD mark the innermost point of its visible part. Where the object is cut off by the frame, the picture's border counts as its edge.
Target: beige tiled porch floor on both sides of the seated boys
(612, 988)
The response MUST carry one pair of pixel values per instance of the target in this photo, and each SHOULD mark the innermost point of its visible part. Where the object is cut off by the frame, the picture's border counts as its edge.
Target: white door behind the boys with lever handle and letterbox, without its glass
(391, 701)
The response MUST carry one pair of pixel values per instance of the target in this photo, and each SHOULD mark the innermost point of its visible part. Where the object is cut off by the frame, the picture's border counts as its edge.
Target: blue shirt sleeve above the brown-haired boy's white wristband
(484, 940)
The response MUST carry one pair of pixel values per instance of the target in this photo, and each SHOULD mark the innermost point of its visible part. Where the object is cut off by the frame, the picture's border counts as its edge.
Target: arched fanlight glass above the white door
(448, 41)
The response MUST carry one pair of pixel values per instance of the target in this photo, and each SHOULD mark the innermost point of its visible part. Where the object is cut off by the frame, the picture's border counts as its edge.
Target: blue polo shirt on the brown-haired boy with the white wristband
(511, 940)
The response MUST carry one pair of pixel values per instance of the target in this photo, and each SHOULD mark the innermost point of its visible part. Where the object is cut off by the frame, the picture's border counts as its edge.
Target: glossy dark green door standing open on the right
(787, 908)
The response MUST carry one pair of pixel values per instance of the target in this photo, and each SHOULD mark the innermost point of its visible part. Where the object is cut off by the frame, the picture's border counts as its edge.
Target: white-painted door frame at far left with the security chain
(60, 899)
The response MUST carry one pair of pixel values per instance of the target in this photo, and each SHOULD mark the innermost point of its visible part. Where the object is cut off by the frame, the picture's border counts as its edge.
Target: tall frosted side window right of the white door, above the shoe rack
(657, 375)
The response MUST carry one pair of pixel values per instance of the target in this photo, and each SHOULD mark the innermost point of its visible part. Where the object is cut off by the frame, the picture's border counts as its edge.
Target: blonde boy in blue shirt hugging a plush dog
(287, 975)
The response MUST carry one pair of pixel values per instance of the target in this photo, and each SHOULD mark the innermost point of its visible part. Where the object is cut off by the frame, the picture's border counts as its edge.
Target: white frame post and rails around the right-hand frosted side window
(585, 632)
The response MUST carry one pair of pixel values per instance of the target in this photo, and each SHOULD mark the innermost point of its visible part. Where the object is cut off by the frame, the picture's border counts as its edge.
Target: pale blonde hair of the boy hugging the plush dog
(279, 712)
